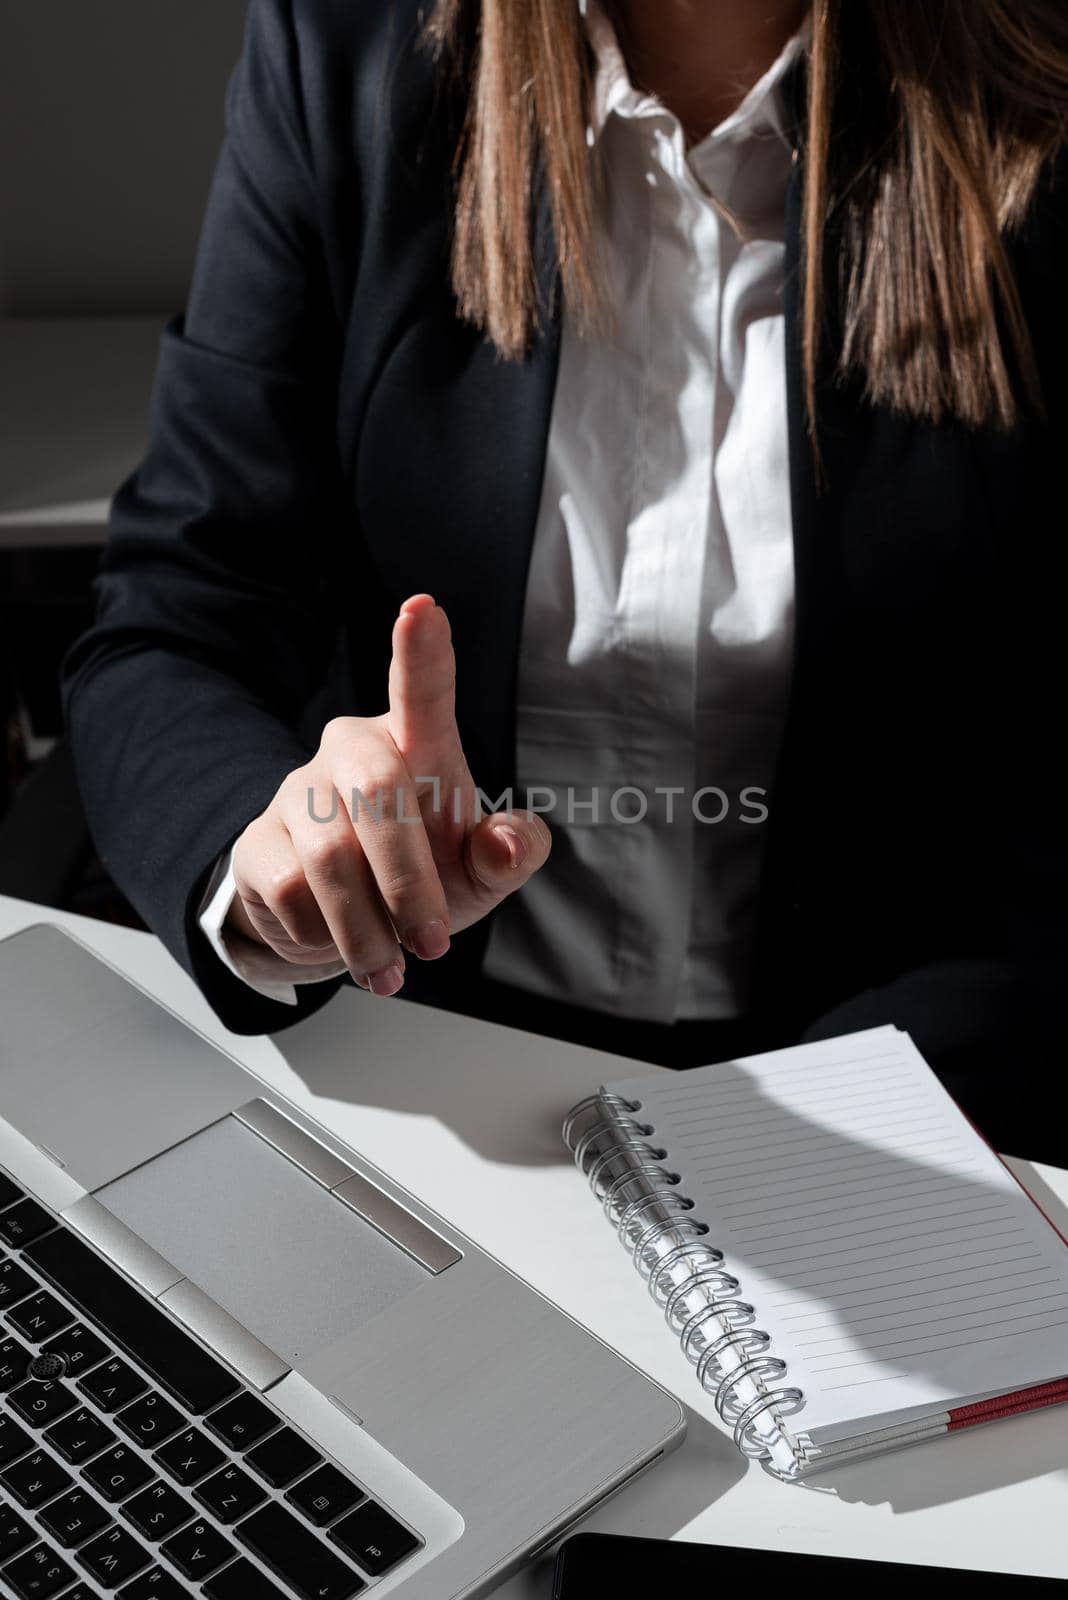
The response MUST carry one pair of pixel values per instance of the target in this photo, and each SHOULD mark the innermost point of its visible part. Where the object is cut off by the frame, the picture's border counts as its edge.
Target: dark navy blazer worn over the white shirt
(329, 439)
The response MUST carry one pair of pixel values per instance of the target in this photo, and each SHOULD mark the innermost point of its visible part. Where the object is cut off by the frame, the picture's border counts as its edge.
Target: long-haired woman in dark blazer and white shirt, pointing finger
(688, 385)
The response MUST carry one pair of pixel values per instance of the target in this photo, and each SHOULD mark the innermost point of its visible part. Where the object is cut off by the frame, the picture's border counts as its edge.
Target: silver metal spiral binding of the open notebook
(644, 1202)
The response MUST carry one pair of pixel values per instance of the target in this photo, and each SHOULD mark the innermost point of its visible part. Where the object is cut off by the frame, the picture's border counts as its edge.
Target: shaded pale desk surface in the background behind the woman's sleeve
(74, 422)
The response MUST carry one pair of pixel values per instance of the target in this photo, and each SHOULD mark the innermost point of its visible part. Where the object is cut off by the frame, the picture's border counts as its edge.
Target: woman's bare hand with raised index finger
(362, 886)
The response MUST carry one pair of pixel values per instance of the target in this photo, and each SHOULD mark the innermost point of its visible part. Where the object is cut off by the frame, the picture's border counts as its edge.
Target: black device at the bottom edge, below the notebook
(597, 1564)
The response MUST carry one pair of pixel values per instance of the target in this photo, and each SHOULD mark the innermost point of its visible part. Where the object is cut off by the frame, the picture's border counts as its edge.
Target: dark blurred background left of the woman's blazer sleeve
(111, 118)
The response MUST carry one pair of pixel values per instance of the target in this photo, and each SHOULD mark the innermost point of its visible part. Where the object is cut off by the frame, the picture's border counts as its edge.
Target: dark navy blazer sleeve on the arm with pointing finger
(218, 594)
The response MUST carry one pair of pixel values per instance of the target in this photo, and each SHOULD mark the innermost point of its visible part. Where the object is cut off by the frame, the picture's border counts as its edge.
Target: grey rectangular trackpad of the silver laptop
(281, 1254)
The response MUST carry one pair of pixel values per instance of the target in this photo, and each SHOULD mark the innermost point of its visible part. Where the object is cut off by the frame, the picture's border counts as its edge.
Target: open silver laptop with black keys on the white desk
(237, 1361)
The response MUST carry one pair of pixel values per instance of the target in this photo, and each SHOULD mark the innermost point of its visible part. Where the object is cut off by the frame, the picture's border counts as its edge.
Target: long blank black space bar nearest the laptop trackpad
(175, 1359)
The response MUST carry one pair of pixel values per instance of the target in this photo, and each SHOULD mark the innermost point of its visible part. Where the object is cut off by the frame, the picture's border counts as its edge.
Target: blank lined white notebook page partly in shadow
(885, 1247)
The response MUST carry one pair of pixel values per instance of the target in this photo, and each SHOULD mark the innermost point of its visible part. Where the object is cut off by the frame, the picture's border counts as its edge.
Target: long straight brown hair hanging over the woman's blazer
(928, 127)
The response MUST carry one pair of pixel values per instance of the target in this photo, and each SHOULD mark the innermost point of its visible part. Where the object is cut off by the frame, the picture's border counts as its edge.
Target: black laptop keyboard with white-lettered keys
(133, 1463)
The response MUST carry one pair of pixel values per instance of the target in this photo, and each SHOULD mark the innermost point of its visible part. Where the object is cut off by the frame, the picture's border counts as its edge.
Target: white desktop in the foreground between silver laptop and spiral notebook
(468, 1118)
